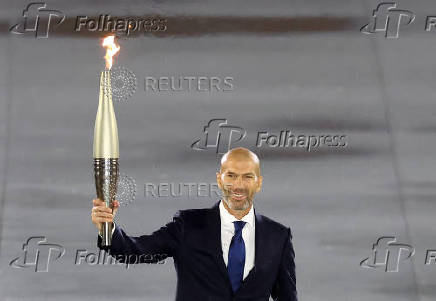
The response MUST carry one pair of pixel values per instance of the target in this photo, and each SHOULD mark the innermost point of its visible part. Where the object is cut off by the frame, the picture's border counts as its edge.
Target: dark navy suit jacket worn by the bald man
(193, 239)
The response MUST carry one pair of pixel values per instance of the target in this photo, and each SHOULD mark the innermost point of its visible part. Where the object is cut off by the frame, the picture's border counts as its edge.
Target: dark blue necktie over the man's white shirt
(235, 265)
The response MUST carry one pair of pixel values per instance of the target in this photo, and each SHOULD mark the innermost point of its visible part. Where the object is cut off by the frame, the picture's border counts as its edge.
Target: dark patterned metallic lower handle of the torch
(106, 179)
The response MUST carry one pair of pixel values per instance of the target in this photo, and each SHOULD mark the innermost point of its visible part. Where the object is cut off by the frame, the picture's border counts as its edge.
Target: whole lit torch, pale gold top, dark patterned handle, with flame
(106, 148)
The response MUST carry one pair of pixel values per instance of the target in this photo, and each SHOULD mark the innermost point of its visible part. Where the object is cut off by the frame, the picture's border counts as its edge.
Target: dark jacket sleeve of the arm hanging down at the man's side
(285, 288)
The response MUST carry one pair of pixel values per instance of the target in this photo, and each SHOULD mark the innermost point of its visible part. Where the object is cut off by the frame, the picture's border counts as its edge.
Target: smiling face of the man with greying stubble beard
(239, 183)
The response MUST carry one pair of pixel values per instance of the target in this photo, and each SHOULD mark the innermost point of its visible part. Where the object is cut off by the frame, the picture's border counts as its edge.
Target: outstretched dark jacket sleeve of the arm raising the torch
(150, 248)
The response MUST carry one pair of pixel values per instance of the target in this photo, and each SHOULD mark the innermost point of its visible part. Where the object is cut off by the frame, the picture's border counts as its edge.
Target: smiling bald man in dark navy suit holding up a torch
(226, 252)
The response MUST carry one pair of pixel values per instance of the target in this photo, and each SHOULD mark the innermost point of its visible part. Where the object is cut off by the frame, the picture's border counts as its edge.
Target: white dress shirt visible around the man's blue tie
(228, 230)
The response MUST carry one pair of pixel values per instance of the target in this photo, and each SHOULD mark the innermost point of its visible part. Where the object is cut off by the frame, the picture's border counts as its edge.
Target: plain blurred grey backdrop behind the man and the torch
(328, 78)
